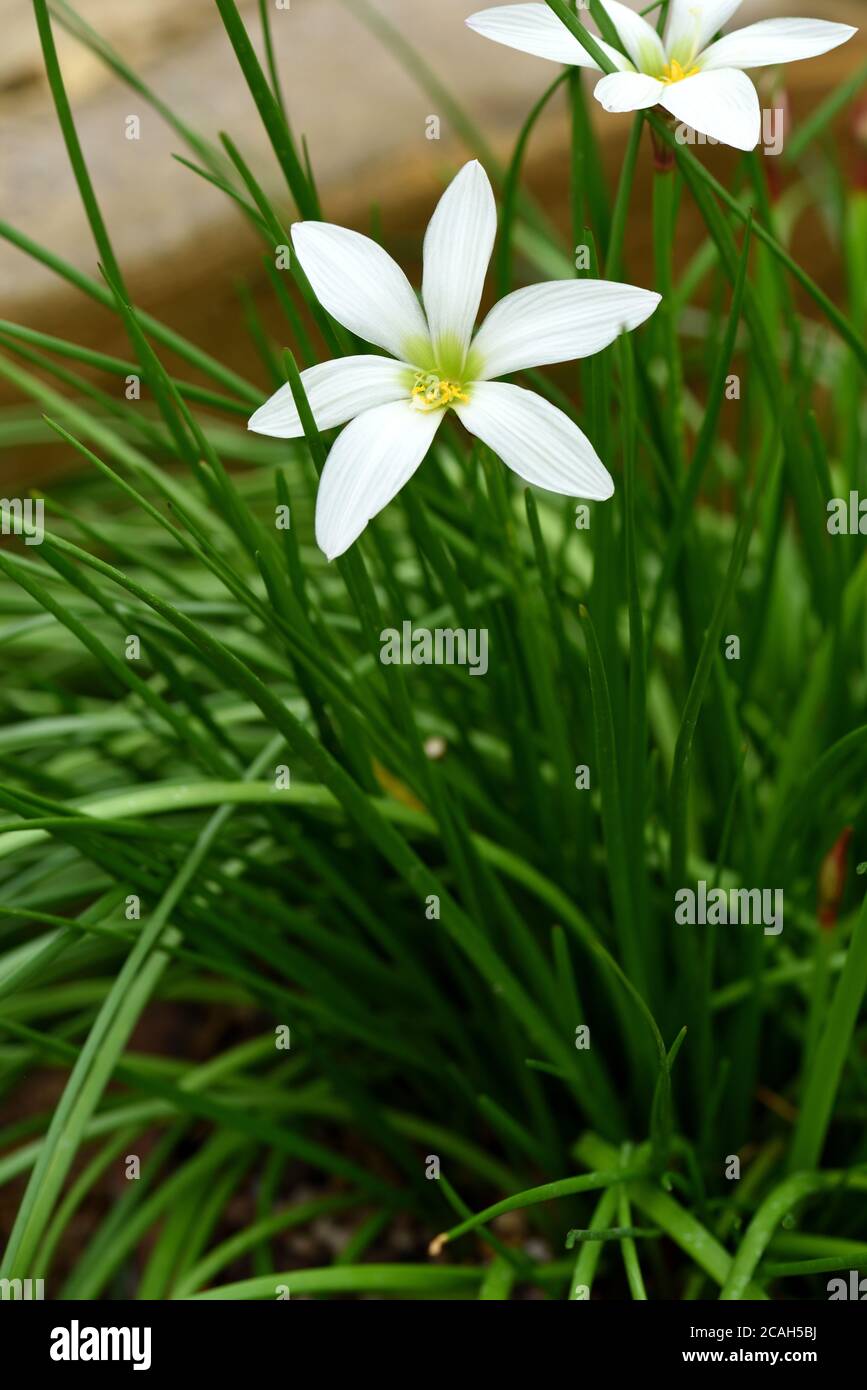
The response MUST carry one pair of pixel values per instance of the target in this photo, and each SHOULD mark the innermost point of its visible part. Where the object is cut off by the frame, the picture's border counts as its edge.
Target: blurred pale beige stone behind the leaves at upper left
(363, 116)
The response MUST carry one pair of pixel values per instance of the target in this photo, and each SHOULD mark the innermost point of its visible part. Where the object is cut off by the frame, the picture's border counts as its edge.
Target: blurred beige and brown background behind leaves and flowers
(181, 243)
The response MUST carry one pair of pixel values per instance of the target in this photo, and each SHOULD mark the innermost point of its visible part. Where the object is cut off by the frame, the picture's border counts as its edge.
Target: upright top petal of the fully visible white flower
(456, 255)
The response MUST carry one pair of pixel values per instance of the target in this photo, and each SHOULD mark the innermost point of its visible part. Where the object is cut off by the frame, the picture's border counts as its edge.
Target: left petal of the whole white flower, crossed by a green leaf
(337, 391)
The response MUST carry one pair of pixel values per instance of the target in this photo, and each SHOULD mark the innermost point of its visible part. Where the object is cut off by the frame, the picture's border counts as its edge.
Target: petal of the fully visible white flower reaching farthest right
(558, 322)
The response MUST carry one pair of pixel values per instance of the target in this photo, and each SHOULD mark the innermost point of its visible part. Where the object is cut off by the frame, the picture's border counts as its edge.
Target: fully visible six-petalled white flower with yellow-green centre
(397, 407)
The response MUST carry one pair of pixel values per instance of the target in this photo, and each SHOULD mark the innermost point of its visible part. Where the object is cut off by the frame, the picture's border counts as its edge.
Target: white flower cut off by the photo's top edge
(702, 87)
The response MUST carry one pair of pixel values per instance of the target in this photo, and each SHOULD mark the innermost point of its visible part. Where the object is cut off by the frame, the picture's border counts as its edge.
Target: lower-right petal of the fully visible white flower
(536, 440)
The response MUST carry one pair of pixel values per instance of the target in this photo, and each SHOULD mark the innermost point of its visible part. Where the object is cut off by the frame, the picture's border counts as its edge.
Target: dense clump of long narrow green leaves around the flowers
(398, 883)
